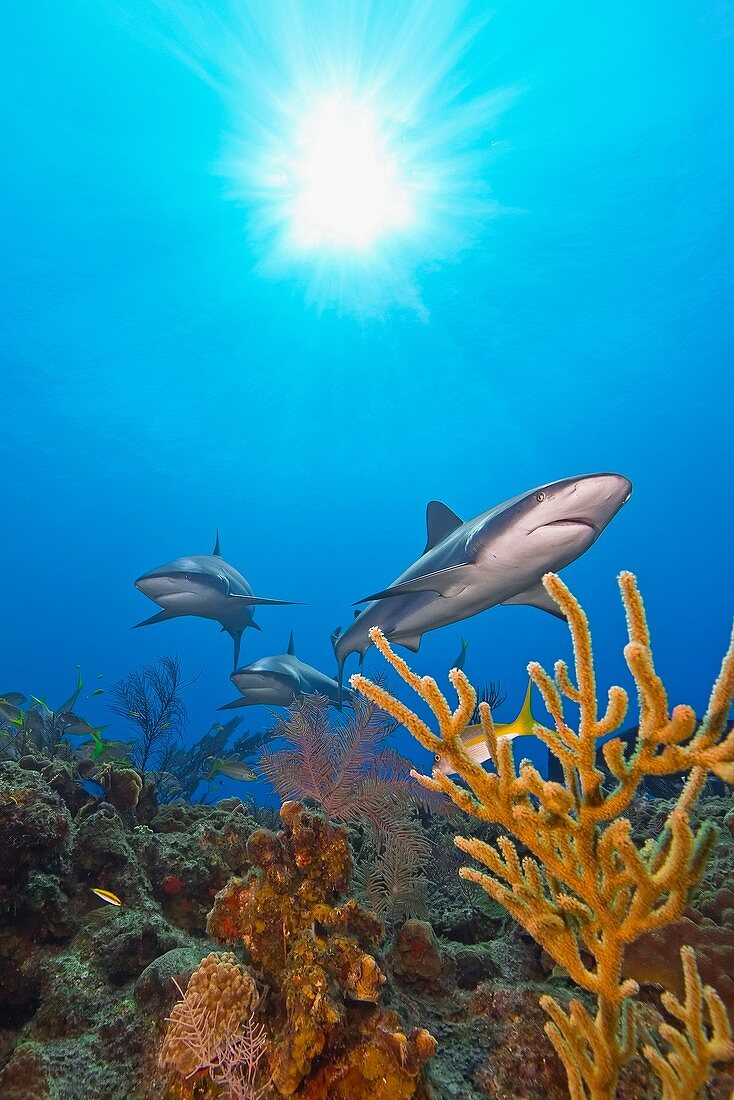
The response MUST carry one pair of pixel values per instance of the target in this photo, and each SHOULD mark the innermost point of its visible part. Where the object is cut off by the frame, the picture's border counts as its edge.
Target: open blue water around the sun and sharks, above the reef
(563, 306)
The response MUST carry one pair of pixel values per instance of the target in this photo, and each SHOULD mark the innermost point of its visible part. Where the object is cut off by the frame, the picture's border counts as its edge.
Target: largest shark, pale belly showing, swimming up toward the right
(497, 558)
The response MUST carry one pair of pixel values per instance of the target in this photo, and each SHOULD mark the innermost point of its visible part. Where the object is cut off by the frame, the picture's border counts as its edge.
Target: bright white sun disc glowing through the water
(347, 189)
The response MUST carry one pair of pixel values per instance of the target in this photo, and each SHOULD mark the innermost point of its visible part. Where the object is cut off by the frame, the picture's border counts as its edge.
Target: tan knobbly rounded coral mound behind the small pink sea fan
(220, 998)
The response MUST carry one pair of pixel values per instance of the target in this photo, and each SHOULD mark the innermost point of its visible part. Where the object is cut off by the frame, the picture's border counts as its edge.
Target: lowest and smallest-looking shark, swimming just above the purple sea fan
(281, 680)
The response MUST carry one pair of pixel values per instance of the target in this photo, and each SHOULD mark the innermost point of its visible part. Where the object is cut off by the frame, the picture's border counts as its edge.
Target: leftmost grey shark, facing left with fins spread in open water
(207, 587)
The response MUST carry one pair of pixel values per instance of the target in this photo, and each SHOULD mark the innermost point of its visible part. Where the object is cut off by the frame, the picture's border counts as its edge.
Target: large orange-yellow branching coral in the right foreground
(587, 890)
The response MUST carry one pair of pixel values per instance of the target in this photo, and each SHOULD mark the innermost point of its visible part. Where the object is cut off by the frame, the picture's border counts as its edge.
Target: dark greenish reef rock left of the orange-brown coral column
(85, 987)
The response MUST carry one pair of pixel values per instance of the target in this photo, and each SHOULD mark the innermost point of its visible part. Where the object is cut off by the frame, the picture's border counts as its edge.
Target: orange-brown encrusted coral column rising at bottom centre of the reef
(330, 1039)
